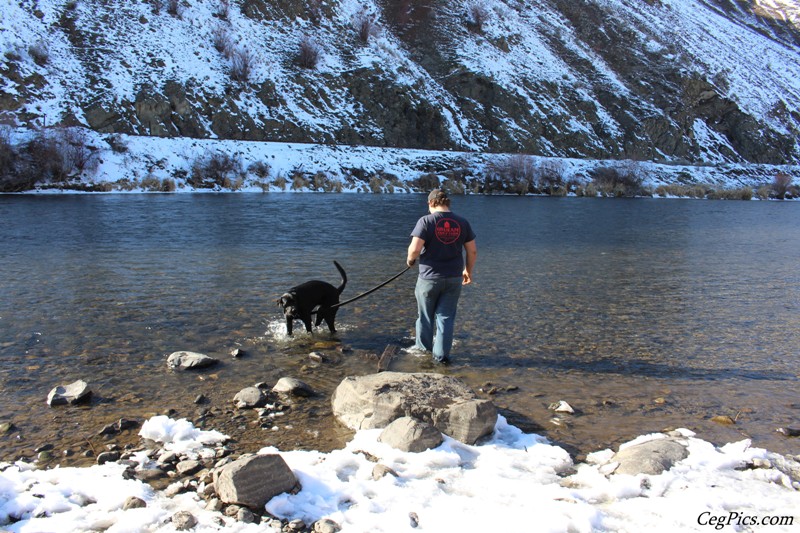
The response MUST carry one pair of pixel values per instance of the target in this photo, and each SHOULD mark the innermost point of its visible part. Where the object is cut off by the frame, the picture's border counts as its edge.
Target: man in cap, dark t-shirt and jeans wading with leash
(437, 240)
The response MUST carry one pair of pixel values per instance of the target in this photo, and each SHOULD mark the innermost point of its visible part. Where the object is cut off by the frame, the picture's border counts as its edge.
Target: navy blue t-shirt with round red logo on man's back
(444, 234)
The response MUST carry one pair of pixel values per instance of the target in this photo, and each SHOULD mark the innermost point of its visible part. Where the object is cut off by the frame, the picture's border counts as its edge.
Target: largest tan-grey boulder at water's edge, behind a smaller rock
(376, 400)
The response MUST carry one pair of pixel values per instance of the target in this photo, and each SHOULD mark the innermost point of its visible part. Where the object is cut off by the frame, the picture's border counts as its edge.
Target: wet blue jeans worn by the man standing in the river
(437, 300)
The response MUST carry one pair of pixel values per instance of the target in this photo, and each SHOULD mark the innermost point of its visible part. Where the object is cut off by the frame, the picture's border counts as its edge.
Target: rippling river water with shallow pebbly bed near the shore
(642, 314)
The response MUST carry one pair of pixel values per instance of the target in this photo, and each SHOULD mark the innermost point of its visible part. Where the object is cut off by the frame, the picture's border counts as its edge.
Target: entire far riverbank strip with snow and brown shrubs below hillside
(82, 160)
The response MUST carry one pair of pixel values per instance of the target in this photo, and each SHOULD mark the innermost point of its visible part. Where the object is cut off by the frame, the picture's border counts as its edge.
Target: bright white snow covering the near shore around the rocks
(512, 482)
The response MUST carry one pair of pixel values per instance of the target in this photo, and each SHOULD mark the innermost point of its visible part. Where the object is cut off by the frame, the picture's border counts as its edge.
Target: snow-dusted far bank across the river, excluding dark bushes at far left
(130, 163)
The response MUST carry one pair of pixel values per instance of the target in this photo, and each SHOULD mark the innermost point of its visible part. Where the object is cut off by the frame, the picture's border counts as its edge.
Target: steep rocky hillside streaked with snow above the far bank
(670, 81)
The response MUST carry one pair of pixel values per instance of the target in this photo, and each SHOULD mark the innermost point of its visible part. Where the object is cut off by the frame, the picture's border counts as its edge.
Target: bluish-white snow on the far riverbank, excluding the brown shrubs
(173, 158)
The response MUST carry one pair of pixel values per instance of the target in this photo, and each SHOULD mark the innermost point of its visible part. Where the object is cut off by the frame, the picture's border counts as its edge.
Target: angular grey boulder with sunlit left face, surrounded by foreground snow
(253, 480)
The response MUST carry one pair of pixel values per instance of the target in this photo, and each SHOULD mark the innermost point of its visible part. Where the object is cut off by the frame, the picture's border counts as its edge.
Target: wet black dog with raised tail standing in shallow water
(299, 302)
